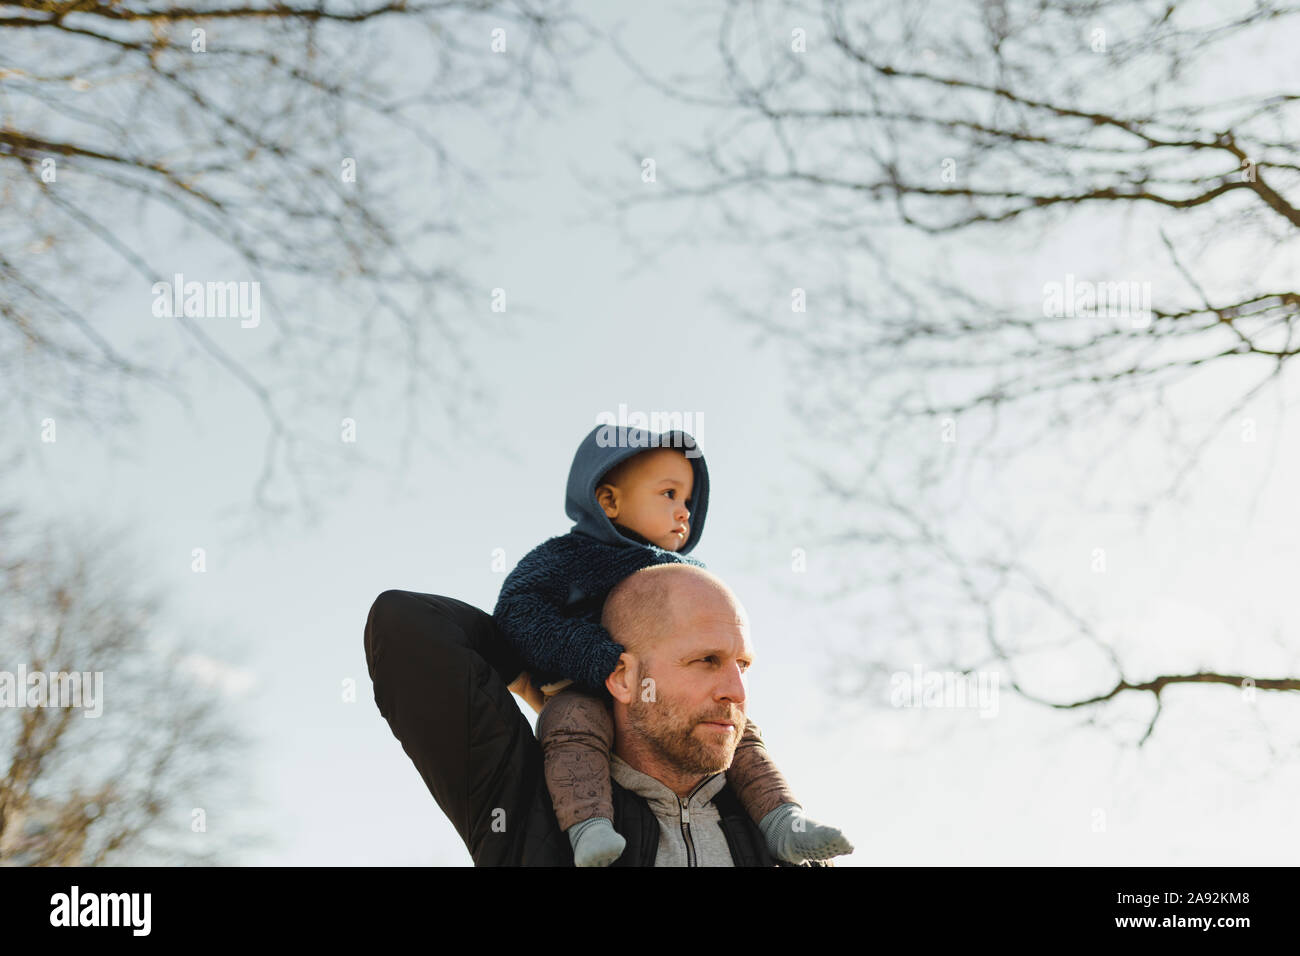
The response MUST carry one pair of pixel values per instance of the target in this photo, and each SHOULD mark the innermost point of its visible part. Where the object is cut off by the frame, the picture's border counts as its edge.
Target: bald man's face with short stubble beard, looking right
(694, 713)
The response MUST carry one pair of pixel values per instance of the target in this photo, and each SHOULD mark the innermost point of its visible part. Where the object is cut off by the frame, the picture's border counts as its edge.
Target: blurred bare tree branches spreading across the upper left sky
(284, 135)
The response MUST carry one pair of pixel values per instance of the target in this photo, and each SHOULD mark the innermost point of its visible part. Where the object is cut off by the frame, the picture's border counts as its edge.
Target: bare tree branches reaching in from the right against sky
(877, 158)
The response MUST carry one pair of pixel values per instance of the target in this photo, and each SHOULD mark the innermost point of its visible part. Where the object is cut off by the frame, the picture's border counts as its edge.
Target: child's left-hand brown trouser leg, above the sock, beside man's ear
(577, 733)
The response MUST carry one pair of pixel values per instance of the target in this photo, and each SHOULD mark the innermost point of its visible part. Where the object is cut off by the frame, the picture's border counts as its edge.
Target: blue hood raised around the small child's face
(609, 445)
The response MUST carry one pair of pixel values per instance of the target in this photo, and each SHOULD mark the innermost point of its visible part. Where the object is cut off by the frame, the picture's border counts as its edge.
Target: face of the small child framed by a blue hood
(651, 495)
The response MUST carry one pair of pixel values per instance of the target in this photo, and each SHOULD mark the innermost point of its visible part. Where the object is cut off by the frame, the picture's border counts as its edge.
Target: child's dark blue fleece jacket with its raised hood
(551, 605)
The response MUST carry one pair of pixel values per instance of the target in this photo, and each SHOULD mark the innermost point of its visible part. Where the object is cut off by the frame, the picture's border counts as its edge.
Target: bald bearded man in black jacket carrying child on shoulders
(678, 697)
